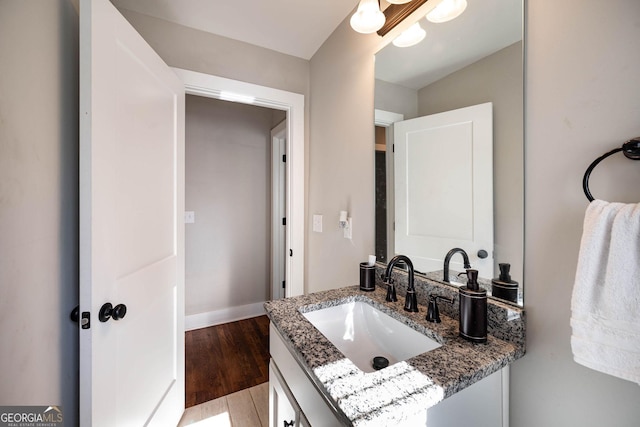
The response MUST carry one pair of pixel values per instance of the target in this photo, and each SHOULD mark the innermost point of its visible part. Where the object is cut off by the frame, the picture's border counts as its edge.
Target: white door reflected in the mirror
(444, 188)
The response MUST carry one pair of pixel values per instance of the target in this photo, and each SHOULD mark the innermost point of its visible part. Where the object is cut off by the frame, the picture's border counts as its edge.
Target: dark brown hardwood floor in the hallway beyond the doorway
(225, 359)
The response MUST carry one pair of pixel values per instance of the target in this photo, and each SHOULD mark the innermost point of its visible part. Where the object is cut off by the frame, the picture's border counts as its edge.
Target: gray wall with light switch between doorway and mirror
(341, 161)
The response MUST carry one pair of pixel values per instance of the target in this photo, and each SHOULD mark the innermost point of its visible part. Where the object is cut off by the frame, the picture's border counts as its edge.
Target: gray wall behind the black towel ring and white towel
(582, 99)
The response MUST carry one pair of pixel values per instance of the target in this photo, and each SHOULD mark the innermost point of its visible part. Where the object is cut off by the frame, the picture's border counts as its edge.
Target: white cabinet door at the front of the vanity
(283, 409)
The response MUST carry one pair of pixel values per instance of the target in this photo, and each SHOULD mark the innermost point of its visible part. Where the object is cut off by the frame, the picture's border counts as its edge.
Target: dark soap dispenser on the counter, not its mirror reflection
(473, 309)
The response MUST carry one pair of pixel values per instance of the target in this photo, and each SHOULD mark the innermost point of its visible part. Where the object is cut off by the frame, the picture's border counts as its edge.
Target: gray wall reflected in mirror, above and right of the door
(496, 79)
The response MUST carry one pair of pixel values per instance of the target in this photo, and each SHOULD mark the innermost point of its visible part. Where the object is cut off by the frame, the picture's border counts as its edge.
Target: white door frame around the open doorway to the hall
(215, 87)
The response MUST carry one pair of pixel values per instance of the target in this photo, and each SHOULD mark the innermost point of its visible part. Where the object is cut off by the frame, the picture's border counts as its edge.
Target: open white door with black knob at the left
(131, 233)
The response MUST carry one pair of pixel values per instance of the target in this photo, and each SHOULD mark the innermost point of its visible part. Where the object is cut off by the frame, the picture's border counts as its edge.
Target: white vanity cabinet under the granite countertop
(293, 397)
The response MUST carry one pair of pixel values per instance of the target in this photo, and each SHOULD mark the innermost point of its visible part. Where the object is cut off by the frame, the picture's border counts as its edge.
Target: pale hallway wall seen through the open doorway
(228, 186)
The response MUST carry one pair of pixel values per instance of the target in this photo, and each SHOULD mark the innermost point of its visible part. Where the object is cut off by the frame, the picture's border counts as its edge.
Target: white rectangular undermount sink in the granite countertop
(362, 332)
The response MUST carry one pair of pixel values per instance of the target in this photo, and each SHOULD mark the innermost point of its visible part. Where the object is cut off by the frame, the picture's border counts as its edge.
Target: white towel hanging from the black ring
(605, 306)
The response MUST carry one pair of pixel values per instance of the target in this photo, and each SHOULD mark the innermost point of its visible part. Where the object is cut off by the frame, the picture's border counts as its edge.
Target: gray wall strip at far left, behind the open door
(39, 204)
